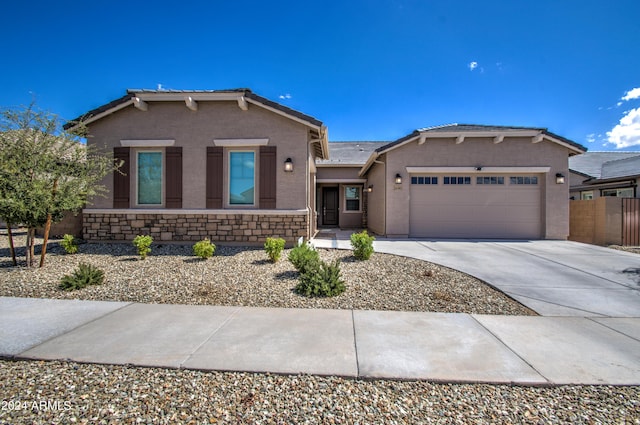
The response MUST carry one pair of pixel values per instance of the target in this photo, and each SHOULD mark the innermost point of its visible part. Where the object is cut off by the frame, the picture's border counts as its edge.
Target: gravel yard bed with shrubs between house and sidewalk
(243, 276)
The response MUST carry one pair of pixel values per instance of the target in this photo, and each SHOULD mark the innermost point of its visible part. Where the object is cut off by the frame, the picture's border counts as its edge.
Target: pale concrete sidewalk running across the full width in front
(362, 344)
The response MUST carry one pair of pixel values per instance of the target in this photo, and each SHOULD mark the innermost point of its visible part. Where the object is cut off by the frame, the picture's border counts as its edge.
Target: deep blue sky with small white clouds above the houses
(370, 70)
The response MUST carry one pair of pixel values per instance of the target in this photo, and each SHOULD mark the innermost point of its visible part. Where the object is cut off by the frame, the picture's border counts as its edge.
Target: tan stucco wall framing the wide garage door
(512, 152)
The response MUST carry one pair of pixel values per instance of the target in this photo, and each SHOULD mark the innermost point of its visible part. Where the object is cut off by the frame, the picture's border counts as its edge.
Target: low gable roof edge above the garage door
(475, 130)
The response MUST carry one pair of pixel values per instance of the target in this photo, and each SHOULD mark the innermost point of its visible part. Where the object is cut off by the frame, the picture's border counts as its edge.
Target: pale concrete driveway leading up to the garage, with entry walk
(554, 278)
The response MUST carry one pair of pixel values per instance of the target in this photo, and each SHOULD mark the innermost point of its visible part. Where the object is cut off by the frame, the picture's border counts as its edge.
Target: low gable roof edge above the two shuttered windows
(241, 95)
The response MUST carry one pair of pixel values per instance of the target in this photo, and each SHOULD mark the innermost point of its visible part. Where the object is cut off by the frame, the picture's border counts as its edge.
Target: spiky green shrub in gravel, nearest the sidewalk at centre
(321, 280)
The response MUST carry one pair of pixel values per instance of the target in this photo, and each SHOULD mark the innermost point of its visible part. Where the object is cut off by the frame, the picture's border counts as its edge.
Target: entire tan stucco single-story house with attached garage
(236, 167)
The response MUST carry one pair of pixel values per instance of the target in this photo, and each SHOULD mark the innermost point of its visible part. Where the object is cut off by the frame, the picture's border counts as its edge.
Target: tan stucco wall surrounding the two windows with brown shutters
(195, 130)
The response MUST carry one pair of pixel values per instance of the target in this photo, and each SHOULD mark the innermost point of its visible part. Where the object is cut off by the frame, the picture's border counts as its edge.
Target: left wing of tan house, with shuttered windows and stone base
(229, 165)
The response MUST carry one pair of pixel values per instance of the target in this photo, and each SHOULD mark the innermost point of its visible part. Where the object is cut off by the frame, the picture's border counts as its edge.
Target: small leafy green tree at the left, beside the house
(45, 171)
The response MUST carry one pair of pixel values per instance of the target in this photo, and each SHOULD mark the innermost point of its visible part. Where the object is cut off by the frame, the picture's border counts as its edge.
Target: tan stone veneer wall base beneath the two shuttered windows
(219, 227)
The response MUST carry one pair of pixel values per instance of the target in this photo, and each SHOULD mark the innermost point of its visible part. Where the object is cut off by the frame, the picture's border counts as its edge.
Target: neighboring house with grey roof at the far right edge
(596, 174)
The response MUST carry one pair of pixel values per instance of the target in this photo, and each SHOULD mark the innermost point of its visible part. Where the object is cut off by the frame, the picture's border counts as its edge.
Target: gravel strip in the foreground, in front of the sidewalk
(64, 393)
